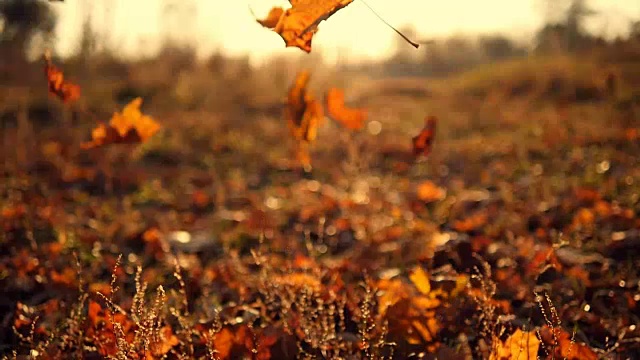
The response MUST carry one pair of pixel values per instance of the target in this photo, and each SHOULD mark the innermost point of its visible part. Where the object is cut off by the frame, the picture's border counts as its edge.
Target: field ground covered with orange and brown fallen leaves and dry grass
(516, 237)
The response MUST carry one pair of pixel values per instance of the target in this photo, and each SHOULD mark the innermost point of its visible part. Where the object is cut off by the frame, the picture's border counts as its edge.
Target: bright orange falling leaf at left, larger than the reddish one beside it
(130, 126)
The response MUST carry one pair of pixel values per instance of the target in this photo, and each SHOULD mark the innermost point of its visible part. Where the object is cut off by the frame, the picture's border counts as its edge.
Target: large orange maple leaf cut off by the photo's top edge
(298, 24)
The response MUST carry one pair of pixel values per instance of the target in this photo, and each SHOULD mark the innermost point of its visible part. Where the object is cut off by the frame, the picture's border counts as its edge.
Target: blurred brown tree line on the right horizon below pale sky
(561, 33)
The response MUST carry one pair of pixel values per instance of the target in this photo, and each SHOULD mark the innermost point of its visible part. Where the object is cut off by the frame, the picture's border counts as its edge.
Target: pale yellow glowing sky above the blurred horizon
(135, 27)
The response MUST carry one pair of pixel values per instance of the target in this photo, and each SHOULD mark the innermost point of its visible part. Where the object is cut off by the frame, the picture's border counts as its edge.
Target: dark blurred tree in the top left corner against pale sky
(22, 22)
